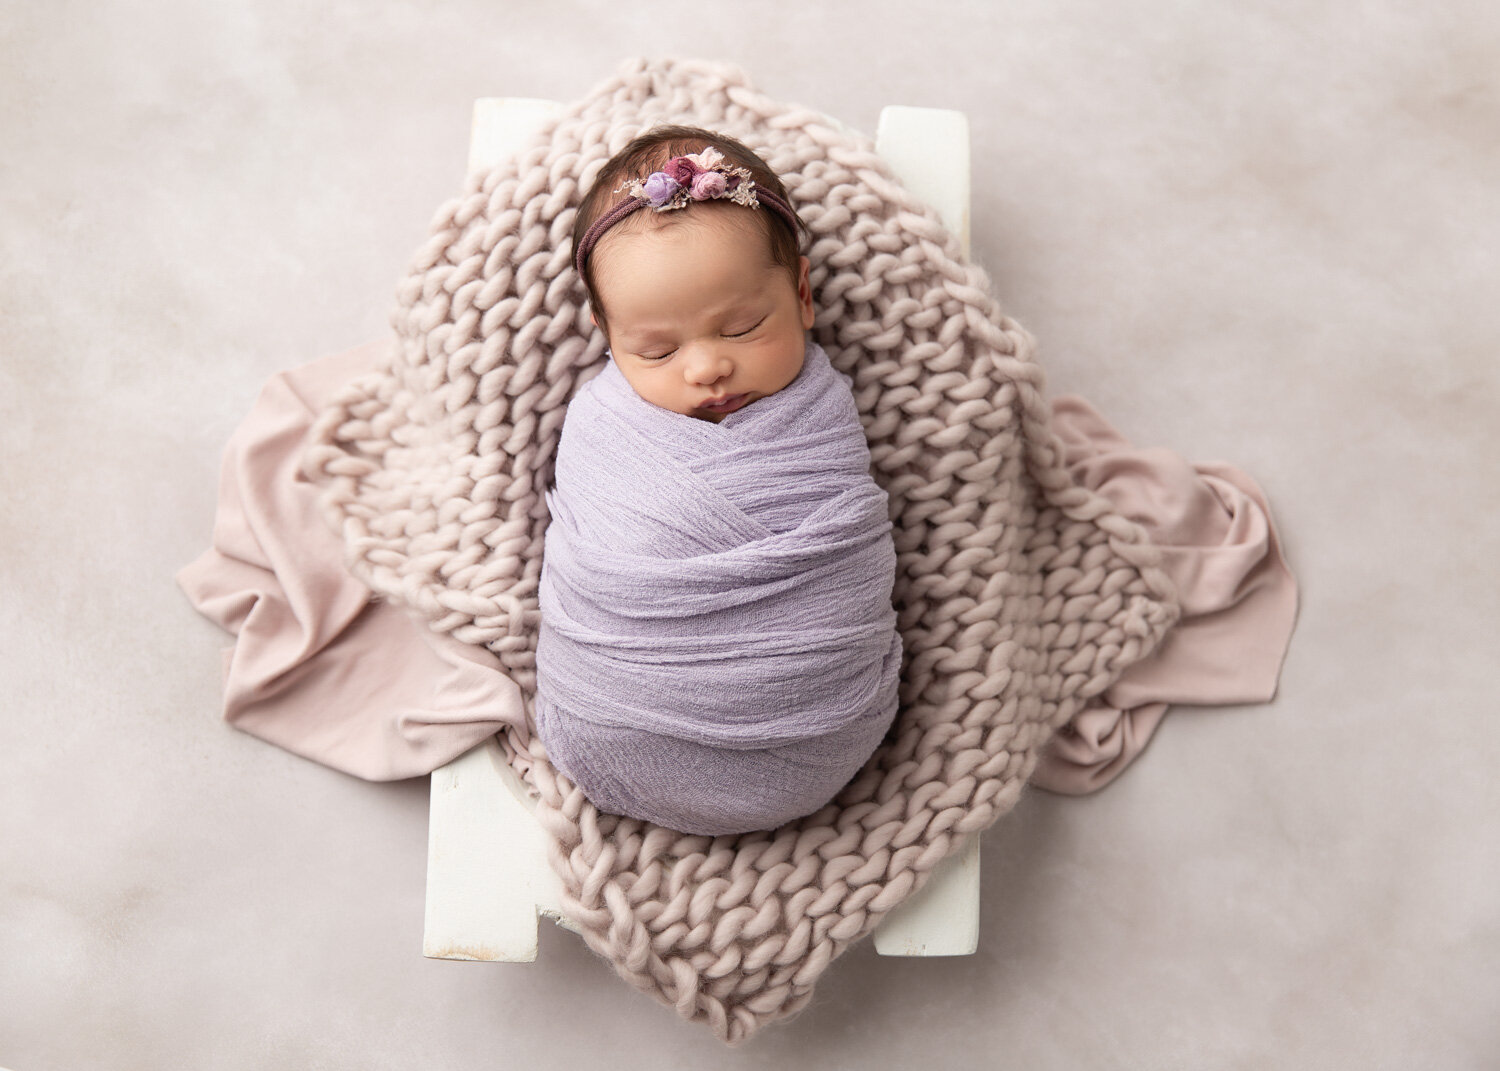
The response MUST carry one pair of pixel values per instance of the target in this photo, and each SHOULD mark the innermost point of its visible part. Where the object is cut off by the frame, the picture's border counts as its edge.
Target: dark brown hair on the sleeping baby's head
(649, 154)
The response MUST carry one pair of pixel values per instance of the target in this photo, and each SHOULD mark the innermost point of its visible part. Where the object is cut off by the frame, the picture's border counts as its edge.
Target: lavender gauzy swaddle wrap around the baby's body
(718, 650)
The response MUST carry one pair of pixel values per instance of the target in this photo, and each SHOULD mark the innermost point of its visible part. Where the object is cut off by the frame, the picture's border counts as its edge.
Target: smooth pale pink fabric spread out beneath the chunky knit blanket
(325, 671)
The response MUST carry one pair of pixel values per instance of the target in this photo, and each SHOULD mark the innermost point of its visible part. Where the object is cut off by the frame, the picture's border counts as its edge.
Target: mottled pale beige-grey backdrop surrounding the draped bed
(1264, 233)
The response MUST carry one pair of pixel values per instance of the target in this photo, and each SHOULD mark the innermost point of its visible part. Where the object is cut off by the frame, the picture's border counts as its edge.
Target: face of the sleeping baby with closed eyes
(700, 314)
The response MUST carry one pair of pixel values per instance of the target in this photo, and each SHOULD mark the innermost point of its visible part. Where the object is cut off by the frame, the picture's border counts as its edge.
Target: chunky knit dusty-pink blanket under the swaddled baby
(1019, 593)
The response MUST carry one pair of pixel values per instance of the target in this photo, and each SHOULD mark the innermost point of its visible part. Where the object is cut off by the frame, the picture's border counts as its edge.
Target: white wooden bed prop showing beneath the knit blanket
(488, 872)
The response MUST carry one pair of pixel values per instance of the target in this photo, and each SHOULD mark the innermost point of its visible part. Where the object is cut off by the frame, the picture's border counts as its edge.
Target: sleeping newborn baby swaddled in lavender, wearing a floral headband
(718, 647)
